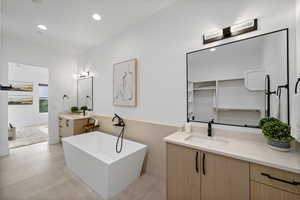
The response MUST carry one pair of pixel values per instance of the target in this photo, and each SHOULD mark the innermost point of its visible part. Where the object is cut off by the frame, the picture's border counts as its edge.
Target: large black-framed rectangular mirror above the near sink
(240, 82)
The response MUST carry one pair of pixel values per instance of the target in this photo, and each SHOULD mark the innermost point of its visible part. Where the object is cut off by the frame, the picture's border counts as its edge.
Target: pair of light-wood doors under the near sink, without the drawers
(196, 175)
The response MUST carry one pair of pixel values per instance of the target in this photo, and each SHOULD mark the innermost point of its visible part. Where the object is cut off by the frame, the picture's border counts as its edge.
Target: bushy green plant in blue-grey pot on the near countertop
(278, 133)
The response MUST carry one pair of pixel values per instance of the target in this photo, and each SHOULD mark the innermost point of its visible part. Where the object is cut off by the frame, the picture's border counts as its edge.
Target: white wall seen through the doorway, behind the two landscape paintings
(27, 115)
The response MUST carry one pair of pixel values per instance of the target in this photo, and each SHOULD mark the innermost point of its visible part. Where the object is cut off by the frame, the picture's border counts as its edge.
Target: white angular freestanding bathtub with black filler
(93, 158)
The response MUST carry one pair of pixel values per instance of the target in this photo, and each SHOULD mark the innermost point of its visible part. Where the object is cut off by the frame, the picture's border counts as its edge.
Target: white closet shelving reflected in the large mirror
(230, 100)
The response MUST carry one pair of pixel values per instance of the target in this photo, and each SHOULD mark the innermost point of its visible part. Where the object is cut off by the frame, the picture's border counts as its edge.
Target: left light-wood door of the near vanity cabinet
(183, 173)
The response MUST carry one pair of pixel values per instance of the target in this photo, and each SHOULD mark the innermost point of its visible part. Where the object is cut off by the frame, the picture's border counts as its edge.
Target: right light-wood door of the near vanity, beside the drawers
(224, 178)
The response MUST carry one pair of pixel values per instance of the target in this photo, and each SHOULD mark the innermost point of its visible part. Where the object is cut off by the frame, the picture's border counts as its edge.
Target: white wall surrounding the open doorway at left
(61, 68)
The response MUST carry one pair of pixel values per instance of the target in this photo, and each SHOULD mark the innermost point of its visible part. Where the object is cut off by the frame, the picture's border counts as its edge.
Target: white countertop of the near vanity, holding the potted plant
(242, 146)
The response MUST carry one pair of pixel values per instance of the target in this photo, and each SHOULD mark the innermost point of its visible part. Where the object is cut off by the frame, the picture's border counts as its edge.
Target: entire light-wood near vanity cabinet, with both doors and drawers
(198, 175)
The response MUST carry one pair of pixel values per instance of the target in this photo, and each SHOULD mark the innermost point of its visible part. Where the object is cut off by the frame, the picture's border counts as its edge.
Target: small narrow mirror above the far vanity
(85, 92)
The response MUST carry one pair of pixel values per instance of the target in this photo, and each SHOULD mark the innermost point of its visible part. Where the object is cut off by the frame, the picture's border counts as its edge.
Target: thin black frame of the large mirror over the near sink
(286, 30)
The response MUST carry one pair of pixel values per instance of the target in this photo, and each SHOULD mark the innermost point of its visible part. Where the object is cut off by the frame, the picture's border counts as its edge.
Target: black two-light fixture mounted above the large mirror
(231, 31)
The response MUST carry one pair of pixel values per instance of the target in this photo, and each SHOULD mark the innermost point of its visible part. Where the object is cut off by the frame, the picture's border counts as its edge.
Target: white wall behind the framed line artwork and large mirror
(160, 44)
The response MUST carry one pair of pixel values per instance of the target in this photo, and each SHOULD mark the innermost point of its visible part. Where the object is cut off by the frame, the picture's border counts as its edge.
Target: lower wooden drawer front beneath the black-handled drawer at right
(264, 192)
